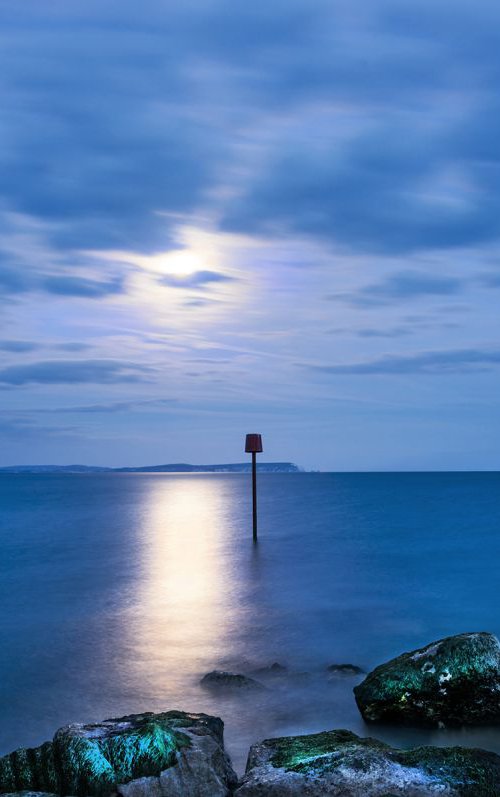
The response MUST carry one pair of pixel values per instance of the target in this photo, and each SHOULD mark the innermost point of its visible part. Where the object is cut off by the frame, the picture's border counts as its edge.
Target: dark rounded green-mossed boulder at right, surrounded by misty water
(454, 681)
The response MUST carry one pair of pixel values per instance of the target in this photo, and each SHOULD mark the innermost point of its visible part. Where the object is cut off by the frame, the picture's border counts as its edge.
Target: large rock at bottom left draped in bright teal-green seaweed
(174, 754)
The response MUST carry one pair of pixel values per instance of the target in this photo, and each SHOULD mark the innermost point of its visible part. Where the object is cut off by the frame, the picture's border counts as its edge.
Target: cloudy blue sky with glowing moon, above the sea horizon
(276, 217)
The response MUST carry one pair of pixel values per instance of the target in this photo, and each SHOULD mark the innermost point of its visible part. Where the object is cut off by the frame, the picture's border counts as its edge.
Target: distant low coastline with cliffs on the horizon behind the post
(239, 467)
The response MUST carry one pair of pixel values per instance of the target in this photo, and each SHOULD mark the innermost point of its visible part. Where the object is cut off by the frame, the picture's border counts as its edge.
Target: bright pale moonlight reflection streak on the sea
(180, 613)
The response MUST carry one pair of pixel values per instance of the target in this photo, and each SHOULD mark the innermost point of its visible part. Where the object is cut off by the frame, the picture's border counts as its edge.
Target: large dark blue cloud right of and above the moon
(370, 193)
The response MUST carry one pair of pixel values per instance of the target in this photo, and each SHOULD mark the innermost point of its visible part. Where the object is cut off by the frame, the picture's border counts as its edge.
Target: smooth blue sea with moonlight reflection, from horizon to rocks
(120, 591)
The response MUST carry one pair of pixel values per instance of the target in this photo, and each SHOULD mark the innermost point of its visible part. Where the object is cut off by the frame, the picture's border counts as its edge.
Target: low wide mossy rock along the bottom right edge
(341, 764)
